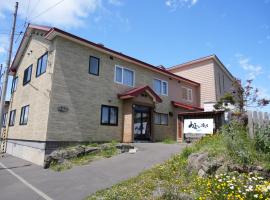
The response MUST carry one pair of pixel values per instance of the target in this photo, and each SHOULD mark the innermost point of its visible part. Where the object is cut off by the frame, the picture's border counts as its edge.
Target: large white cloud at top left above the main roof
(65, 13)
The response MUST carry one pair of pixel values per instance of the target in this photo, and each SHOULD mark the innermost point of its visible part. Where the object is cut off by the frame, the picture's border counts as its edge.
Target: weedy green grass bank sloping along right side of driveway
(172, 177)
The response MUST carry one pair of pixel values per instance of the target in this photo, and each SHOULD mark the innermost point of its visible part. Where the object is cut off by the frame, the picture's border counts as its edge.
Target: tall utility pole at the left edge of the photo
(6, 71)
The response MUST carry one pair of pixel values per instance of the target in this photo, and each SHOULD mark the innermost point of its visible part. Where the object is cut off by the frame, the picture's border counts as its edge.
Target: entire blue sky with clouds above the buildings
(166, 32)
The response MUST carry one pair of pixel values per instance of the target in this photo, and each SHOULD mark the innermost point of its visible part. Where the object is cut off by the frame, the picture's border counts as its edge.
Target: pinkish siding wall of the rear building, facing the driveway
(204, 74)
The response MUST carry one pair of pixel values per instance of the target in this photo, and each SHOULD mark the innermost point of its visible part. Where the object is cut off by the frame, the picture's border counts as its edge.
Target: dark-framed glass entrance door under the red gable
(142, 123)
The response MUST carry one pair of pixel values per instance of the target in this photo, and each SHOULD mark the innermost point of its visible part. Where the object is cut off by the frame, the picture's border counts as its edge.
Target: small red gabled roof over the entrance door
(136, 91)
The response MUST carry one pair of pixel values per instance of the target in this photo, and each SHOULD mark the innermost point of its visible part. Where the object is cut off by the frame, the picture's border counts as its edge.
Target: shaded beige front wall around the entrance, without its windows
(84, 94)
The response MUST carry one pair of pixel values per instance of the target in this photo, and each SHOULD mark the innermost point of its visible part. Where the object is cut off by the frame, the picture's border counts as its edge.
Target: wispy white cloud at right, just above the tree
(253, 70)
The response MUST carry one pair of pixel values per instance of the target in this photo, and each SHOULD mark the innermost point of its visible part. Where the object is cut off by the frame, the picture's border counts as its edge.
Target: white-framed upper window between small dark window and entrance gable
(124, 76)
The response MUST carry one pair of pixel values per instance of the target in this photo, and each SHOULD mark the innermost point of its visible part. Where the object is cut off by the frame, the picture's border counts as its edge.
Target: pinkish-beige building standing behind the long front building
(214, 78)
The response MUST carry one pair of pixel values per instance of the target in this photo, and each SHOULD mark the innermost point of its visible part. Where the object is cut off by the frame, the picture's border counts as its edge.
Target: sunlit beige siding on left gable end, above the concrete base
(36, 93)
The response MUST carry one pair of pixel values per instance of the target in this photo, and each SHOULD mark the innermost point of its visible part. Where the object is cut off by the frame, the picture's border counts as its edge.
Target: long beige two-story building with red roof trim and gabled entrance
(69, 90)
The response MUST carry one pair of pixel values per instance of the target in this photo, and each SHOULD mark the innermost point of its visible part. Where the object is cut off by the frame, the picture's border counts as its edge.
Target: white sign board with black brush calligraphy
(198, 126)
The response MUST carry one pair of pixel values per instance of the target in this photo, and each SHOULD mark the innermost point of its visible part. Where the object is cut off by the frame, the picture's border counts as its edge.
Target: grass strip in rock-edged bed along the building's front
(107, 152)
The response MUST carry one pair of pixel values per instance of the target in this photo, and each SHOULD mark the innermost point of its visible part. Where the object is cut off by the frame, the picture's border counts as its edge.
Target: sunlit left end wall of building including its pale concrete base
(36, 94)
